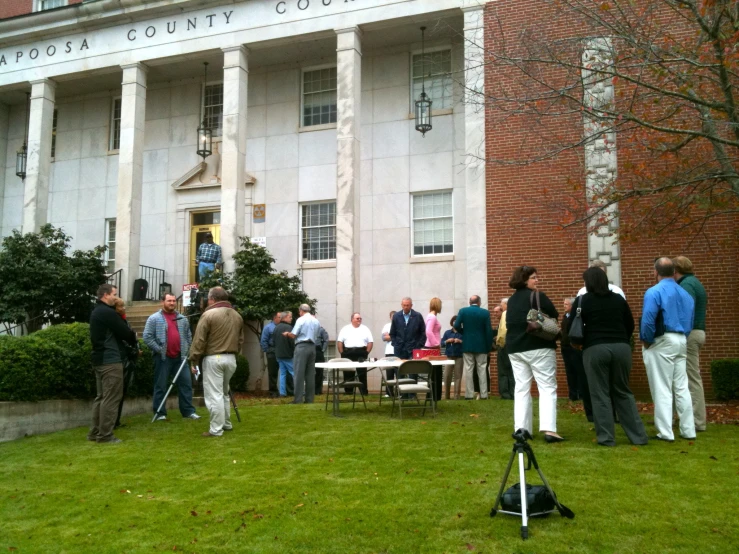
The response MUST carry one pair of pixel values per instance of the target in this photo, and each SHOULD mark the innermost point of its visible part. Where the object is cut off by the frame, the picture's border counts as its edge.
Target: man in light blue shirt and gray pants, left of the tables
(305, 334)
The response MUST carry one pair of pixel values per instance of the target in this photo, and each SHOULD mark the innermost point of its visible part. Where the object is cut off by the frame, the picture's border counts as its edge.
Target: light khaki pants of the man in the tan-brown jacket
(217, 372)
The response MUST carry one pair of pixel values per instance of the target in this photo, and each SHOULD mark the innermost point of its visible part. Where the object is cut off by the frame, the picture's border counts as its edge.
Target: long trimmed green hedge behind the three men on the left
(55, 363)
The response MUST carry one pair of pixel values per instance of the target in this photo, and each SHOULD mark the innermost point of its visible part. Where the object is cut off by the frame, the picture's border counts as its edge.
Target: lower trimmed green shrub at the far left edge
(32, 369)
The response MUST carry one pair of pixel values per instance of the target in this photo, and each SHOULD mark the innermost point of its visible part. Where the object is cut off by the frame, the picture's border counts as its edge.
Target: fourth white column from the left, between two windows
(348, 107)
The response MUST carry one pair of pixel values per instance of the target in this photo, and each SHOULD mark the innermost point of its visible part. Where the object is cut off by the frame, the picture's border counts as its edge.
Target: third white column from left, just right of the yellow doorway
(233, 156)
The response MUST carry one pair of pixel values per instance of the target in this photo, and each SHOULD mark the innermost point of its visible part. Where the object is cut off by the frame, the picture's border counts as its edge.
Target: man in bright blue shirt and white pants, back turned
(667, 319)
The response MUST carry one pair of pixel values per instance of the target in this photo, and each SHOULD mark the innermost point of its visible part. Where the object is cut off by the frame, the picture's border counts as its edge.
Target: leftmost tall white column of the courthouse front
(36, 193)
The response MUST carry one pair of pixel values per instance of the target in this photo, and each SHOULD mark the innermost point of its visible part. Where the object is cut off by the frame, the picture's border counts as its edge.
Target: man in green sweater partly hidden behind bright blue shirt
(697, 338)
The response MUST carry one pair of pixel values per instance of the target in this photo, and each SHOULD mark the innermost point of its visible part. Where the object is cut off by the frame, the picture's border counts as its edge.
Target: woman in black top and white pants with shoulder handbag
(531, 355)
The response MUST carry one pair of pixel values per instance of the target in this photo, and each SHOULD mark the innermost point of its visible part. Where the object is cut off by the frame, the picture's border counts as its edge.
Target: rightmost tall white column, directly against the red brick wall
(474, 145)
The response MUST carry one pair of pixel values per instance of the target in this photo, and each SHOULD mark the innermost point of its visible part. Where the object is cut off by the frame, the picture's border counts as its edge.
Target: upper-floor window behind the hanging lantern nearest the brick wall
(433, 71)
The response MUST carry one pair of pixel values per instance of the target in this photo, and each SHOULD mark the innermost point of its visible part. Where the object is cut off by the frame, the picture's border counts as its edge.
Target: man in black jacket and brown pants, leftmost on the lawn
(107, 332)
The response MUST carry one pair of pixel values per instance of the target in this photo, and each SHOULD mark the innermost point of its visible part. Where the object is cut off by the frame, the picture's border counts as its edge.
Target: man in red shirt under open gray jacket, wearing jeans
(168, 335)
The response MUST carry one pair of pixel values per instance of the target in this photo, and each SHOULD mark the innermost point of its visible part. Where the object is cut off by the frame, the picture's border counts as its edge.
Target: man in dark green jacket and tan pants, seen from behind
(473, 323)
